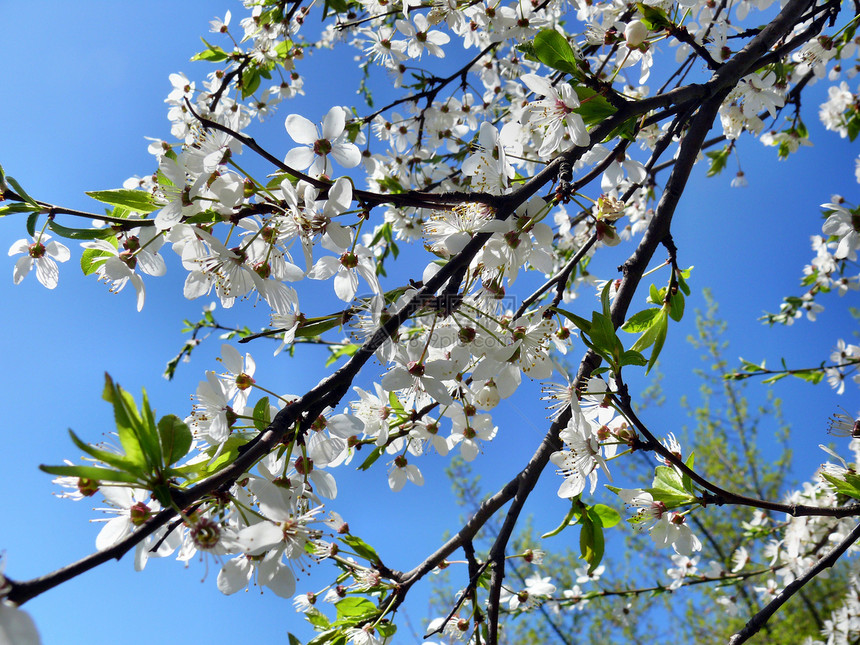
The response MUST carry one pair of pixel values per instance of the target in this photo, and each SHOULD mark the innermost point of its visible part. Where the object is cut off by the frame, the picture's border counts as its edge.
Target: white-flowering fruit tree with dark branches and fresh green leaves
(529, 151)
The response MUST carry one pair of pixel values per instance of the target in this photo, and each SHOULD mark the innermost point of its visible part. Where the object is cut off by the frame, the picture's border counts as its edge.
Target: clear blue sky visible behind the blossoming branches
(83, 84)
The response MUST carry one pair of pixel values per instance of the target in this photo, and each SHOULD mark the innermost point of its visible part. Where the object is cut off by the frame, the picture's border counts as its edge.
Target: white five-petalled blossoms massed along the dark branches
(536, 153)
